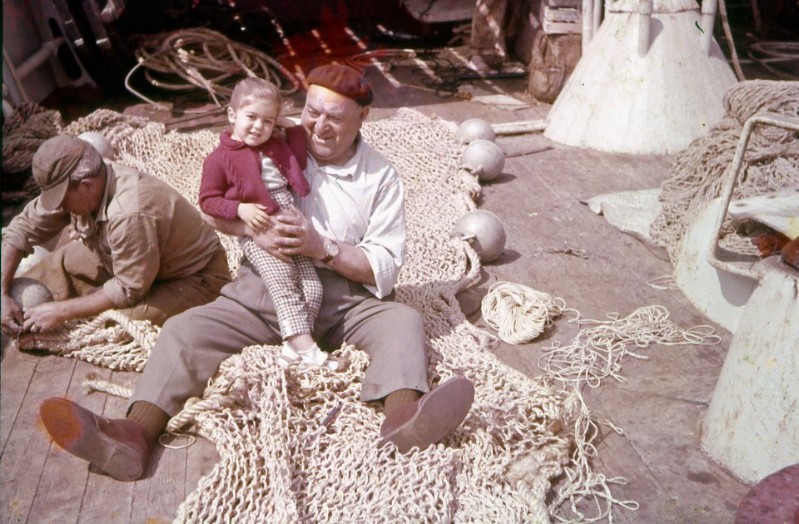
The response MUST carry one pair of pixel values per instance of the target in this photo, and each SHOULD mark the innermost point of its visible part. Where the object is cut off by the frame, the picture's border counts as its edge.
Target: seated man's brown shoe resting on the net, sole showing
(431, 418)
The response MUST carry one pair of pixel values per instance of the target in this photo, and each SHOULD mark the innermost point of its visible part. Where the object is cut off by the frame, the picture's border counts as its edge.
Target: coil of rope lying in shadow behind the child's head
(200, 58)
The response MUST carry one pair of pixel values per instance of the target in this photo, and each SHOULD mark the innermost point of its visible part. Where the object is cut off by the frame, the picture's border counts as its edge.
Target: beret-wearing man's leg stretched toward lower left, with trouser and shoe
(189, 350)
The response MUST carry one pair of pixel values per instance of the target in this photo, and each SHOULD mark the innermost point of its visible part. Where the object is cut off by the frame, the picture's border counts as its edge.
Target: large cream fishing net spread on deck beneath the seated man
(284, 457)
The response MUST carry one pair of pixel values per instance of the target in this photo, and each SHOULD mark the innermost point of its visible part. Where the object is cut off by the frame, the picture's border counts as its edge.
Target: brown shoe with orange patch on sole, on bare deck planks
(119, 447)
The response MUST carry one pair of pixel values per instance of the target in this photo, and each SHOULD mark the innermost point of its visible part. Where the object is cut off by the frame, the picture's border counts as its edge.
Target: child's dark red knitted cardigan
(232, 173)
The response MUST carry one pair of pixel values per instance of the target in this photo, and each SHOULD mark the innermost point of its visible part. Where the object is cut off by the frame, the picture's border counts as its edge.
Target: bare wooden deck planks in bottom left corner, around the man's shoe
(42, 483)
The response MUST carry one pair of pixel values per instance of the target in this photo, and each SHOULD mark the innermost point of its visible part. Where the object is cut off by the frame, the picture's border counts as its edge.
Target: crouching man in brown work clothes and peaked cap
(134, 243)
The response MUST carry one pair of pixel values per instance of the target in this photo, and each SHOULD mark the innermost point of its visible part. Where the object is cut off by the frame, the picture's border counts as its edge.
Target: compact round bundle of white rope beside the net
(519, 313)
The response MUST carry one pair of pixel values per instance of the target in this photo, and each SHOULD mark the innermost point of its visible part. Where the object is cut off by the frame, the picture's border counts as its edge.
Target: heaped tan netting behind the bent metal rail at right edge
(771, 163)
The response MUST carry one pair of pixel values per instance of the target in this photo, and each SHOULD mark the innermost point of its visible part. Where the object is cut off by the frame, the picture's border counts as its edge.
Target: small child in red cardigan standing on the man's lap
(247, 177)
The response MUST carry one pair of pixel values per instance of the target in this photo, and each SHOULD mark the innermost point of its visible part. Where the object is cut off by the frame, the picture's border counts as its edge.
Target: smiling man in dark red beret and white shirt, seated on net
(352, 224)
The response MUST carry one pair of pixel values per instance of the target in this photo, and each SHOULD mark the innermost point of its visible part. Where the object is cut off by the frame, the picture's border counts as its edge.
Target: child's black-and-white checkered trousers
(294, 286)
